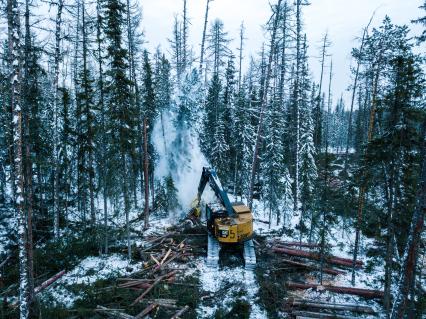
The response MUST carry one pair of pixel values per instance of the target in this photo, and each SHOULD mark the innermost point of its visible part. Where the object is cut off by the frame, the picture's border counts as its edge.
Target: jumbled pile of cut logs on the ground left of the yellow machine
(158, 254)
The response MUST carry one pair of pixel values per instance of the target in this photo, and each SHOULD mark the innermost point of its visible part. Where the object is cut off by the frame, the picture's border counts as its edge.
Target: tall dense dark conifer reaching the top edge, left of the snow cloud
(121, 126)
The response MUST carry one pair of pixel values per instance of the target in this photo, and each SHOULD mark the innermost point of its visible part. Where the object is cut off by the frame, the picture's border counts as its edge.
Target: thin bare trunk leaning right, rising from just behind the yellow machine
(263, 105)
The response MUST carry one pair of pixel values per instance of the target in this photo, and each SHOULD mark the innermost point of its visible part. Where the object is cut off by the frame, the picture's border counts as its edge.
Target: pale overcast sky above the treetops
(344, 20)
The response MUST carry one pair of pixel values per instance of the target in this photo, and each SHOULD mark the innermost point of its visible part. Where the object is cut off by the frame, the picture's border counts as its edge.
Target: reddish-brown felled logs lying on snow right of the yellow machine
(288, 248)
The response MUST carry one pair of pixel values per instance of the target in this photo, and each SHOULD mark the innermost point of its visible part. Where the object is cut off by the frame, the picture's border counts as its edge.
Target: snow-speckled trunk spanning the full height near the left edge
(14, 37)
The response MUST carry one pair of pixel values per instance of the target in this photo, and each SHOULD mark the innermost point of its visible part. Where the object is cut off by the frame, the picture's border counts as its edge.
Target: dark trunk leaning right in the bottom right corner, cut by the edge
(411, 251)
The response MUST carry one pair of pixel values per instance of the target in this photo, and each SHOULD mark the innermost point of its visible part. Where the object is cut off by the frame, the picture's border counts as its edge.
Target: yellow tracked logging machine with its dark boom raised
(227, 224)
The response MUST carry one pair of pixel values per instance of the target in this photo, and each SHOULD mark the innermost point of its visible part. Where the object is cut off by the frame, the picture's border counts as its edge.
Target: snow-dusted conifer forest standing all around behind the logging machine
(78, 117)
